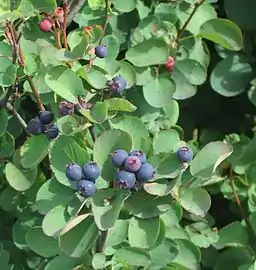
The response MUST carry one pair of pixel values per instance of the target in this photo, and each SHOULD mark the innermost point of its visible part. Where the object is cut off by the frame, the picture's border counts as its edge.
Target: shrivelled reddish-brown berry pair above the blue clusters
(66, 107)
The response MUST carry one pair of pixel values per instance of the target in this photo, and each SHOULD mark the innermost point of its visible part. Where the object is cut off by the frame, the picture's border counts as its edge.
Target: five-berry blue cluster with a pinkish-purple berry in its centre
(132, 168)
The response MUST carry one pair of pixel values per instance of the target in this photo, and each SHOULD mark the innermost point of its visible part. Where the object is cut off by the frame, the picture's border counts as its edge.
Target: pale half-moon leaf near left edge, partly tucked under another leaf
(17, 179)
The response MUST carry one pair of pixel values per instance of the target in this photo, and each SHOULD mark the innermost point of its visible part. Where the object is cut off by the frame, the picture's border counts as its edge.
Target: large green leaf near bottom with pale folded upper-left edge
(79, 237)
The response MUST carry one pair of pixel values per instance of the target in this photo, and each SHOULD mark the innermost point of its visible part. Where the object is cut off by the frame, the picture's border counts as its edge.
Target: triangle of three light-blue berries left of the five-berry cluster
(84, 176)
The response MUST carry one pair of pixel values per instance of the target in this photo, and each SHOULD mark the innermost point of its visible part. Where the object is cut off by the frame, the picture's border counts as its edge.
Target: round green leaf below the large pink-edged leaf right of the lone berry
(195, 200)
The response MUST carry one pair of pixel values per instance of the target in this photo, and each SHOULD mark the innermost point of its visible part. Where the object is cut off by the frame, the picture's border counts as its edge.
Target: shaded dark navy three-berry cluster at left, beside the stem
(43, 124)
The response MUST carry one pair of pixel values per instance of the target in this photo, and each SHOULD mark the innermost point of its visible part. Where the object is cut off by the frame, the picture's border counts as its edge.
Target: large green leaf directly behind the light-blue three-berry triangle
(64, 151)
